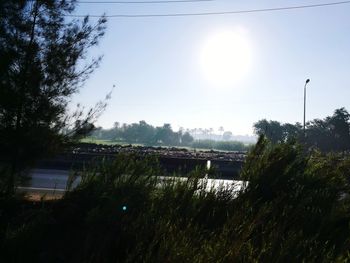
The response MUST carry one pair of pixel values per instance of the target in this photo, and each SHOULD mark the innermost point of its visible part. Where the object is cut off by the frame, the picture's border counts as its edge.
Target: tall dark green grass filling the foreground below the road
(294, 209)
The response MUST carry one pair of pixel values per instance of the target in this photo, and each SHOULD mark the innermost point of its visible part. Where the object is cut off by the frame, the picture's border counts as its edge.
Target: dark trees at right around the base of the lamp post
(329, 134)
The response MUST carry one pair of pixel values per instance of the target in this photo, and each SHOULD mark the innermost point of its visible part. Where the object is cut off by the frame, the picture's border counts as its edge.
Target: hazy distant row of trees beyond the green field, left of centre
(144, 133)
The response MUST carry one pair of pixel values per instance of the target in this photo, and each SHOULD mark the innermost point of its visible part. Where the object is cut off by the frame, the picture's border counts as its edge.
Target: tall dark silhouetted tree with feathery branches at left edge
(41, 53)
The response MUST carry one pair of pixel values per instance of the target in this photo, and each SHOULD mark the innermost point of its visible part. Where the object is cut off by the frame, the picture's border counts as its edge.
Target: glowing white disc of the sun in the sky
(226, 57)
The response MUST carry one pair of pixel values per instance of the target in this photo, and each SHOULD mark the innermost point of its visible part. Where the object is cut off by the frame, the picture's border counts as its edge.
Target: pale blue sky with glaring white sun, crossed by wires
(165, 69)
